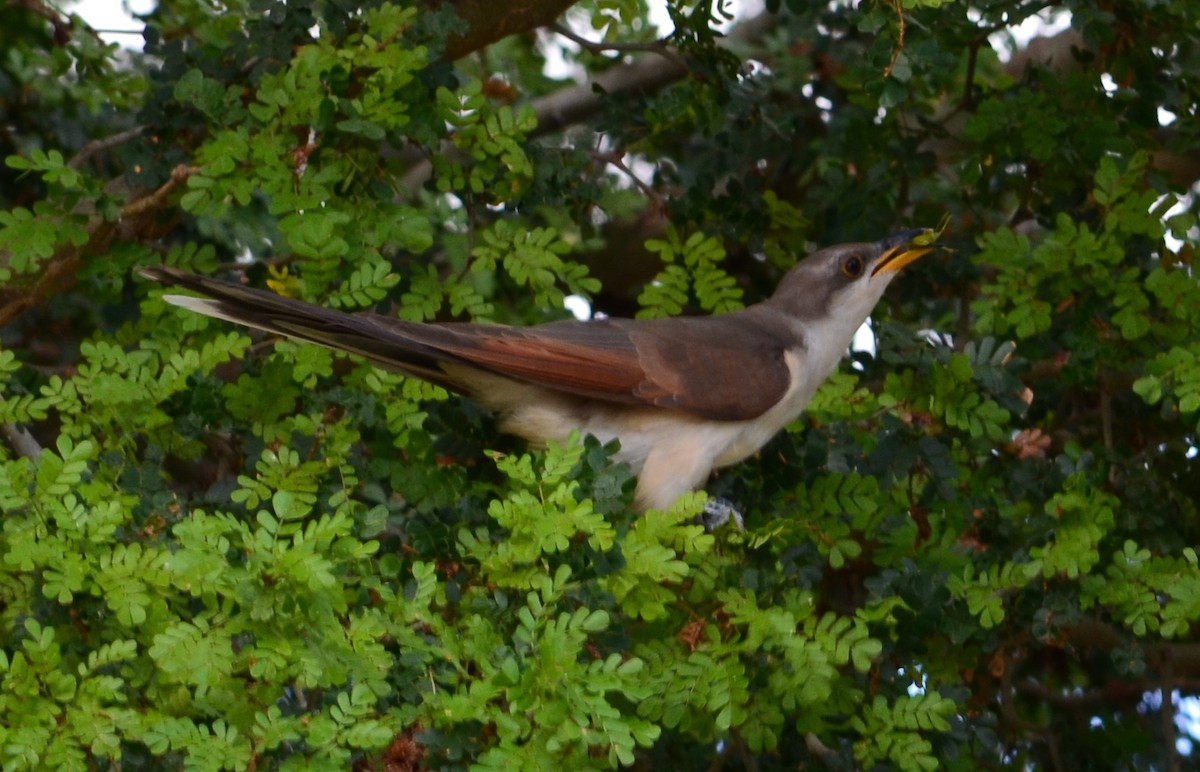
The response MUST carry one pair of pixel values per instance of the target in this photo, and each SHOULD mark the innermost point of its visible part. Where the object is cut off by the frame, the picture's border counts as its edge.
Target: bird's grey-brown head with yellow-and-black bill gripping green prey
(847, 282)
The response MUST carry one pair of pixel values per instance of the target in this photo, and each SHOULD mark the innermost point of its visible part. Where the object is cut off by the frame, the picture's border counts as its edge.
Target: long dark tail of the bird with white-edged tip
(392, 344)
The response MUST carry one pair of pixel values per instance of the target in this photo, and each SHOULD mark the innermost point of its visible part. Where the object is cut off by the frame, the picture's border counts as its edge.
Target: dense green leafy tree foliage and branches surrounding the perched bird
(976, 549)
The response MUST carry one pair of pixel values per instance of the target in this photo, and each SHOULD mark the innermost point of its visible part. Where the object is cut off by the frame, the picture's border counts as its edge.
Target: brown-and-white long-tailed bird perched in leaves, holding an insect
(683, 396)
